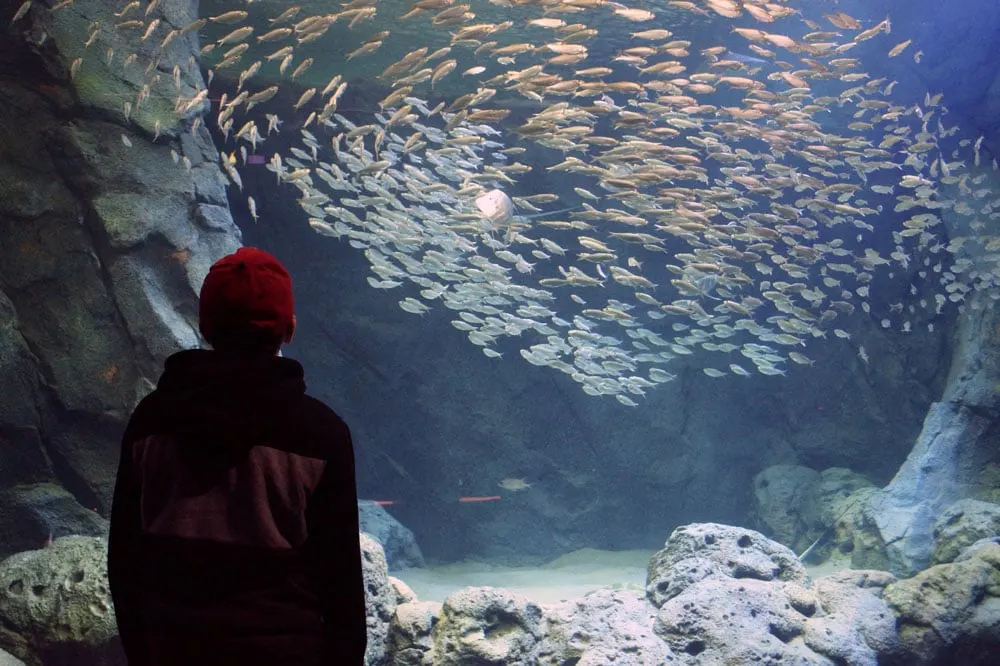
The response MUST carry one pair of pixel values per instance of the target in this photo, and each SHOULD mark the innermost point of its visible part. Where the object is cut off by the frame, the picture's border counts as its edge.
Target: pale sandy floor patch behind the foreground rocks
(569, 577)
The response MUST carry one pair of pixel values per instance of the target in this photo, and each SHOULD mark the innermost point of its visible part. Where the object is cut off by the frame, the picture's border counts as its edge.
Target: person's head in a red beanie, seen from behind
(246, 304)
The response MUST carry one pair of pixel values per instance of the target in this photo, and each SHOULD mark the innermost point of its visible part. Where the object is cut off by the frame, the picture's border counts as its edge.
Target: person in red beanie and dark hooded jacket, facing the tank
(234, 526)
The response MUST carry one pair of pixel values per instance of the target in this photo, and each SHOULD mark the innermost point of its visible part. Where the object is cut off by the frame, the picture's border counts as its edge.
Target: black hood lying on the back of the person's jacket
(222, 399)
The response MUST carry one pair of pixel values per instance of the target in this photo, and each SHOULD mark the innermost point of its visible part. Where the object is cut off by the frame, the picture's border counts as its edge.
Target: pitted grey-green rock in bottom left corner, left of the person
(55, 603)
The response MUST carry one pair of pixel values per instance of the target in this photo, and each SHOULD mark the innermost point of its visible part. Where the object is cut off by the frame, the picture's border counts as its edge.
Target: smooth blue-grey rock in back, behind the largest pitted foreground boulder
(782, 494)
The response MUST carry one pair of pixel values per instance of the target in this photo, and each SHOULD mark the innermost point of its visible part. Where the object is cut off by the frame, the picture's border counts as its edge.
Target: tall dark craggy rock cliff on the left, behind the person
(104, 244)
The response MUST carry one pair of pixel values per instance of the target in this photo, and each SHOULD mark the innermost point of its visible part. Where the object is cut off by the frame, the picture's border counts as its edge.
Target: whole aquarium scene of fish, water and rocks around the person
(666, 331)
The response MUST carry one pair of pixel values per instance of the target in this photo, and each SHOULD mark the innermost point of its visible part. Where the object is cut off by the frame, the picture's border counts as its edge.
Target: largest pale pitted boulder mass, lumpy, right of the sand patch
(730, 596)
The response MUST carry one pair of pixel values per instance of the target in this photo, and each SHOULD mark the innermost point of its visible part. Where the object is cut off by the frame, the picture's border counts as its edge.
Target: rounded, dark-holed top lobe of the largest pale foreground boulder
(710, 551)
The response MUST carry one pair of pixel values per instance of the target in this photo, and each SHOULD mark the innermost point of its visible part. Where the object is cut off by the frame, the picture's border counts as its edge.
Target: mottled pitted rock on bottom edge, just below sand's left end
(487, 626)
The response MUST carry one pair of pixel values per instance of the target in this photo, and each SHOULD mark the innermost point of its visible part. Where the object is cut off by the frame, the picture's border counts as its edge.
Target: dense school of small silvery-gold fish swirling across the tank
(717, 203)
